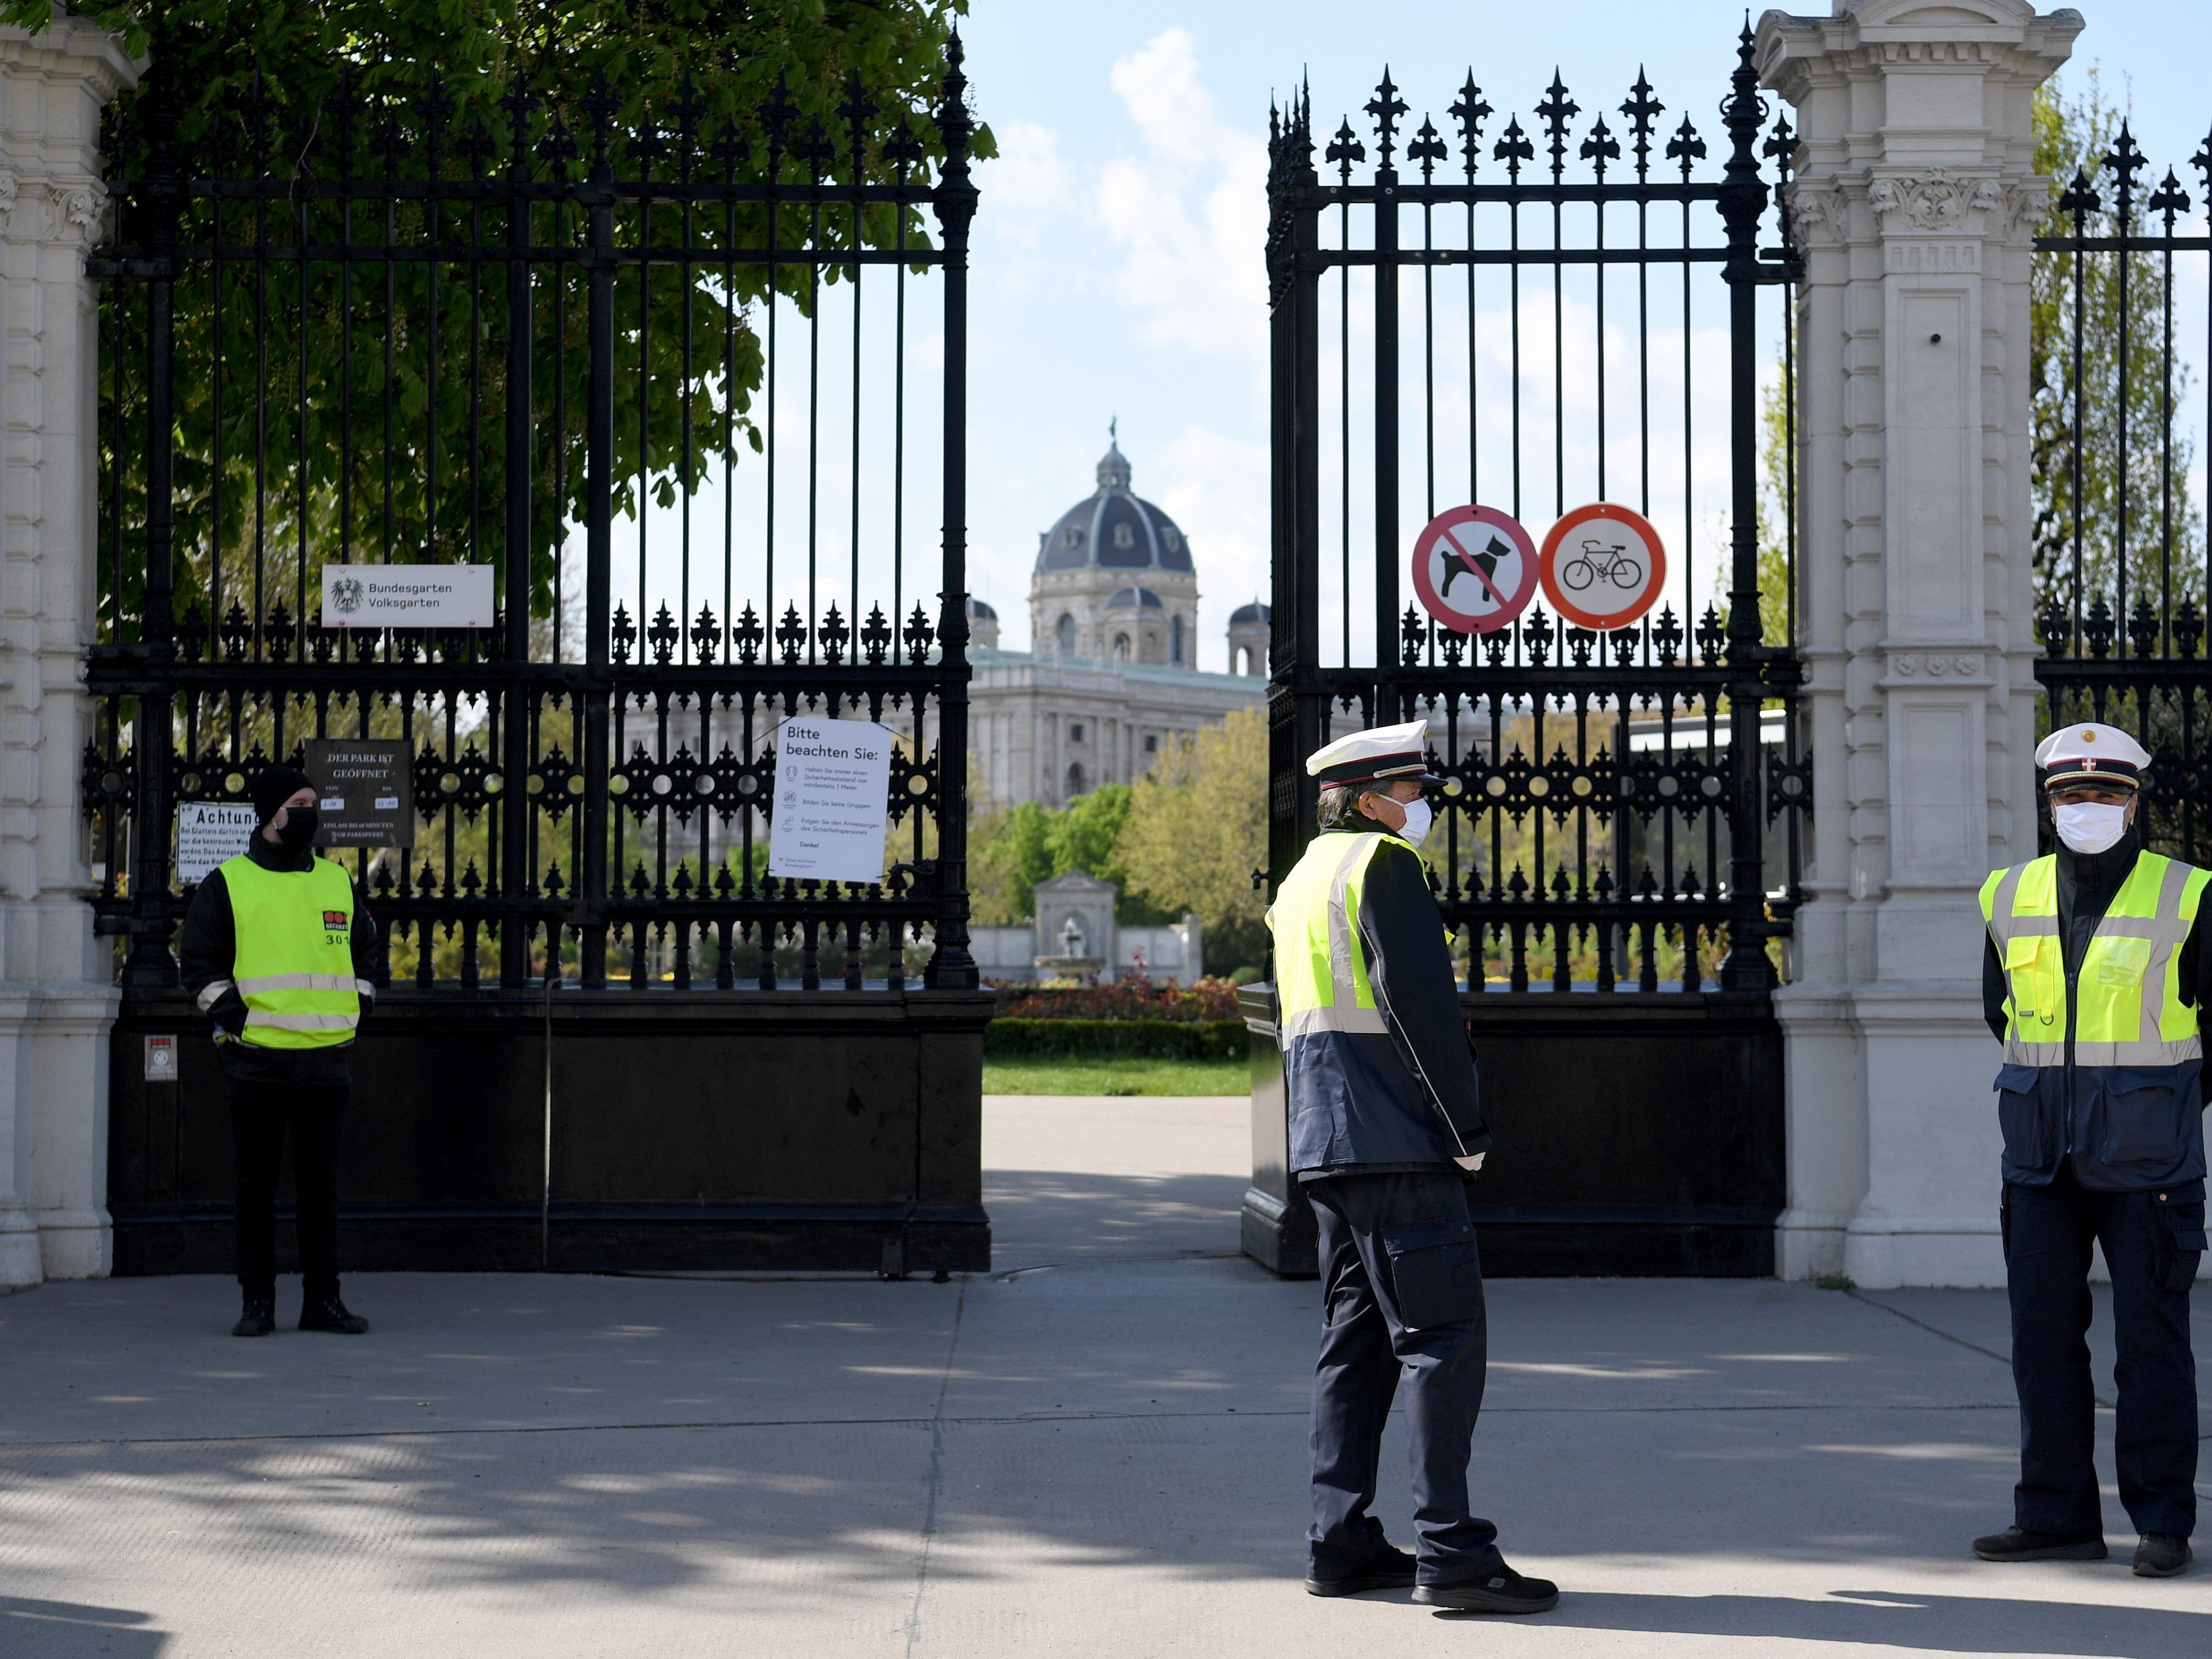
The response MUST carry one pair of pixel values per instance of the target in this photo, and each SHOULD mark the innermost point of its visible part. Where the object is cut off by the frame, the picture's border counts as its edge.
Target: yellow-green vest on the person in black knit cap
(295, 954)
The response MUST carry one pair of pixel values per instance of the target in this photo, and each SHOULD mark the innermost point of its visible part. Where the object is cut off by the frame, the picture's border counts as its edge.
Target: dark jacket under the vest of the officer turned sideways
(1404, 1098)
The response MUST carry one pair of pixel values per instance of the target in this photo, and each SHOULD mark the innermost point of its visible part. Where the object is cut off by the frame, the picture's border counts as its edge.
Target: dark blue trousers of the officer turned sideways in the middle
(1401, 1295)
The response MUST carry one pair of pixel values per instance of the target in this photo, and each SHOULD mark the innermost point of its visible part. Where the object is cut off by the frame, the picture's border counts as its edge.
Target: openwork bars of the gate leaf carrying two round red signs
(1609, 795)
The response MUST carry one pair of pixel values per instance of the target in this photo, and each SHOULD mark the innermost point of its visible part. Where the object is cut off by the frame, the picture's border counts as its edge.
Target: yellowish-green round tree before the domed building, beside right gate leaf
(1198, 828)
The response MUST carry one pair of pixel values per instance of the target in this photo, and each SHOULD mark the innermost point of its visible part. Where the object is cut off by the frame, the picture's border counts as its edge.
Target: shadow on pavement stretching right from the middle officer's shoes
(1897, 1620)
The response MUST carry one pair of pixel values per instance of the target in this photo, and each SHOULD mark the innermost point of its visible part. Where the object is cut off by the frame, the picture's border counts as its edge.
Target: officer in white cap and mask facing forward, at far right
(2094, 981)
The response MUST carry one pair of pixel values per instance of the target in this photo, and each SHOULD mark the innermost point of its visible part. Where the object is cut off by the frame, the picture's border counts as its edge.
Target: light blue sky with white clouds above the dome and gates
(1118, 275)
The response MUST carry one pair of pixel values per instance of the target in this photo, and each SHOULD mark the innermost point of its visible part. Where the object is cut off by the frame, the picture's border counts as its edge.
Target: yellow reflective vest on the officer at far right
(2127, 988)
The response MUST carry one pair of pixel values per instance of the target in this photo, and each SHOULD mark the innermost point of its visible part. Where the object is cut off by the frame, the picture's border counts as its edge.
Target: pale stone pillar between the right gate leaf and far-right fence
(1914, 207)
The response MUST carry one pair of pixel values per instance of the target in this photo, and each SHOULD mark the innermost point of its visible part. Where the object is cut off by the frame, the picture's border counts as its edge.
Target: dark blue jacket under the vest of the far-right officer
(2118, 1127)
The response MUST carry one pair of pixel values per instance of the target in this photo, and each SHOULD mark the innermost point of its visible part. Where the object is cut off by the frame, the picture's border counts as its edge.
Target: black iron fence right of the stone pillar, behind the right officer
(2122, 554)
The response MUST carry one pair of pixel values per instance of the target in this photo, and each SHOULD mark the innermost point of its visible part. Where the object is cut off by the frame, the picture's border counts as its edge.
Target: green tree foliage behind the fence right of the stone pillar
(2074, 138)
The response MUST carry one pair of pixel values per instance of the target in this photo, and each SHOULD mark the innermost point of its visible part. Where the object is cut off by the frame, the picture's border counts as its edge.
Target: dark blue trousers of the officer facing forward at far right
(2151, 1244)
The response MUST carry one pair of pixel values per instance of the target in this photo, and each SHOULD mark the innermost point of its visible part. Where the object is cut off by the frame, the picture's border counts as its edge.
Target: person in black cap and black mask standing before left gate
(280, 952)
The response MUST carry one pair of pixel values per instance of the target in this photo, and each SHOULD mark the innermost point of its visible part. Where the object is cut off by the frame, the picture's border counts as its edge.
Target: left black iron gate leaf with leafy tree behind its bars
(689, 375)
